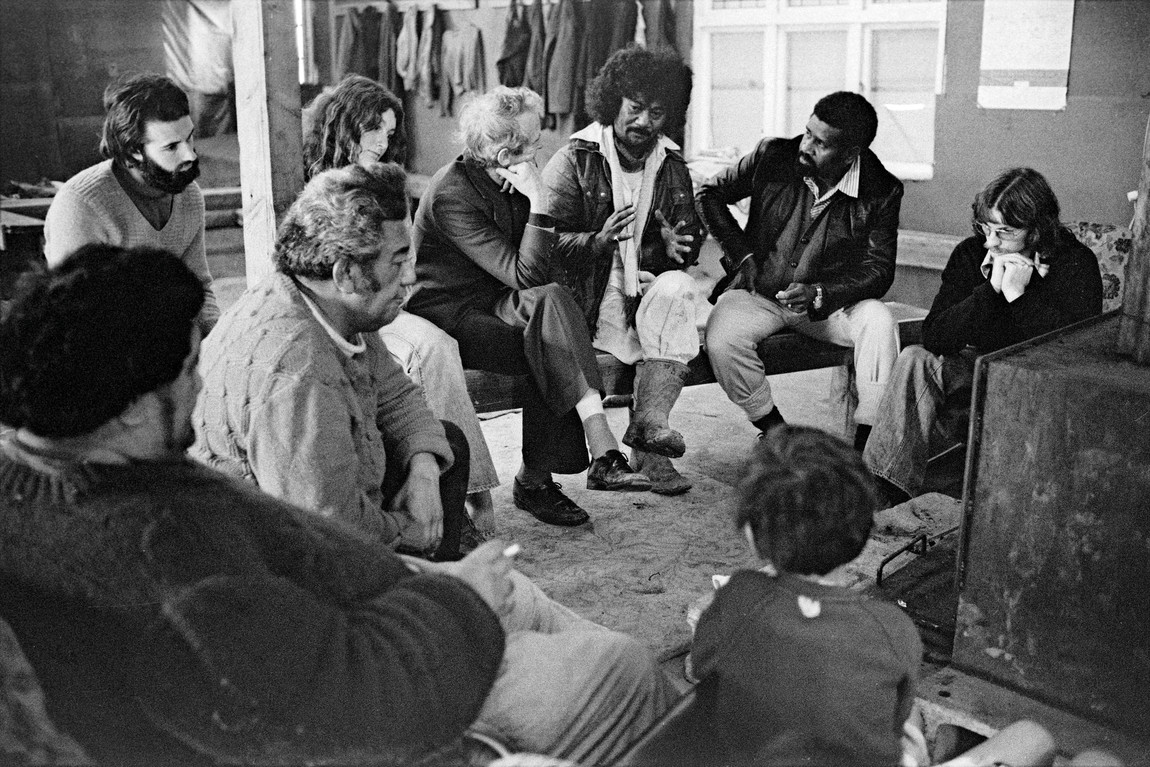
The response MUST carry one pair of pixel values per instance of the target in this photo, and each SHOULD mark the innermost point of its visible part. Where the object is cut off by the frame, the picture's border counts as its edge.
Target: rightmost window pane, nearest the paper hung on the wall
(903, 91)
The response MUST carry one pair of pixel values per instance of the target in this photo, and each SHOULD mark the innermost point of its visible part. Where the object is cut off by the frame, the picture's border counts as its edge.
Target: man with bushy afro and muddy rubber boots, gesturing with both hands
(622, 200)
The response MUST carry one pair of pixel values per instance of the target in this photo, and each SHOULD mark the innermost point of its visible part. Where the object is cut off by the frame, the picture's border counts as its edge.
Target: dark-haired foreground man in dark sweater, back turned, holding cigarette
(179, 617)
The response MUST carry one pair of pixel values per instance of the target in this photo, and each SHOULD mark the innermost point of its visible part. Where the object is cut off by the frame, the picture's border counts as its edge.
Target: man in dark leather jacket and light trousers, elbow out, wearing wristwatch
(817, 254)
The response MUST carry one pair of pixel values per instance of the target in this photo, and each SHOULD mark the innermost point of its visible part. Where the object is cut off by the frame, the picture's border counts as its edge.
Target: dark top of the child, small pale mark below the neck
(800, 673)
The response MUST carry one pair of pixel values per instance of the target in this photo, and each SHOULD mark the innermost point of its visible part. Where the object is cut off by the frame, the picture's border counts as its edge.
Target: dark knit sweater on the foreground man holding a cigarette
(164, 604)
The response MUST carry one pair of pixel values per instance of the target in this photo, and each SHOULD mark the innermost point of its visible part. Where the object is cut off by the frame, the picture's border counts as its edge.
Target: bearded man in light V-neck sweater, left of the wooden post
(145, 193)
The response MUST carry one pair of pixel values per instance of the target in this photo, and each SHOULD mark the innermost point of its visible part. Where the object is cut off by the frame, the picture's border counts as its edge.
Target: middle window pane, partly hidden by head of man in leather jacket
(816, 66)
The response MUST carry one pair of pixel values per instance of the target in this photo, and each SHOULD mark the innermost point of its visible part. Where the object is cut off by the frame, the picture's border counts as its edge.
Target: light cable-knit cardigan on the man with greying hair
(285, 408)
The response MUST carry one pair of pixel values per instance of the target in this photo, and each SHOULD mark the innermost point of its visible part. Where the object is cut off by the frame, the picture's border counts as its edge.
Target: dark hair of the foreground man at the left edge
(85, 340)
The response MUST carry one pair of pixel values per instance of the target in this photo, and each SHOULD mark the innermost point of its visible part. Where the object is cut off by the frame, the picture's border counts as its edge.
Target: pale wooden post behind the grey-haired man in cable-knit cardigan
(269, 119)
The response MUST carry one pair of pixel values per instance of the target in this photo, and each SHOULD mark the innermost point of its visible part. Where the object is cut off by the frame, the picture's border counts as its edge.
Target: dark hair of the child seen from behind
(809, 500)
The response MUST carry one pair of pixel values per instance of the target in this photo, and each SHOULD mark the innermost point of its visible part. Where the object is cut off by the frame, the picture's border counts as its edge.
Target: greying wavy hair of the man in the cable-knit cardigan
(340, 214)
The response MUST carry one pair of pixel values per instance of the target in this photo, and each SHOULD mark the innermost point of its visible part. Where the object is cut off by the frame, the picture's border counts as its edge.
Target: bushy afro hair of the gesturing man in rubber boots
(658, 75)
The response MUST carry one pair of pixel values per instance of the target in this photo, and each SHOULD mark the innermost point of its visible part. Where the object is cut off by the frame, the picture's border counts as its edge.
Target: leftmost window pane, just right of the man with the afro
(737, 89)
